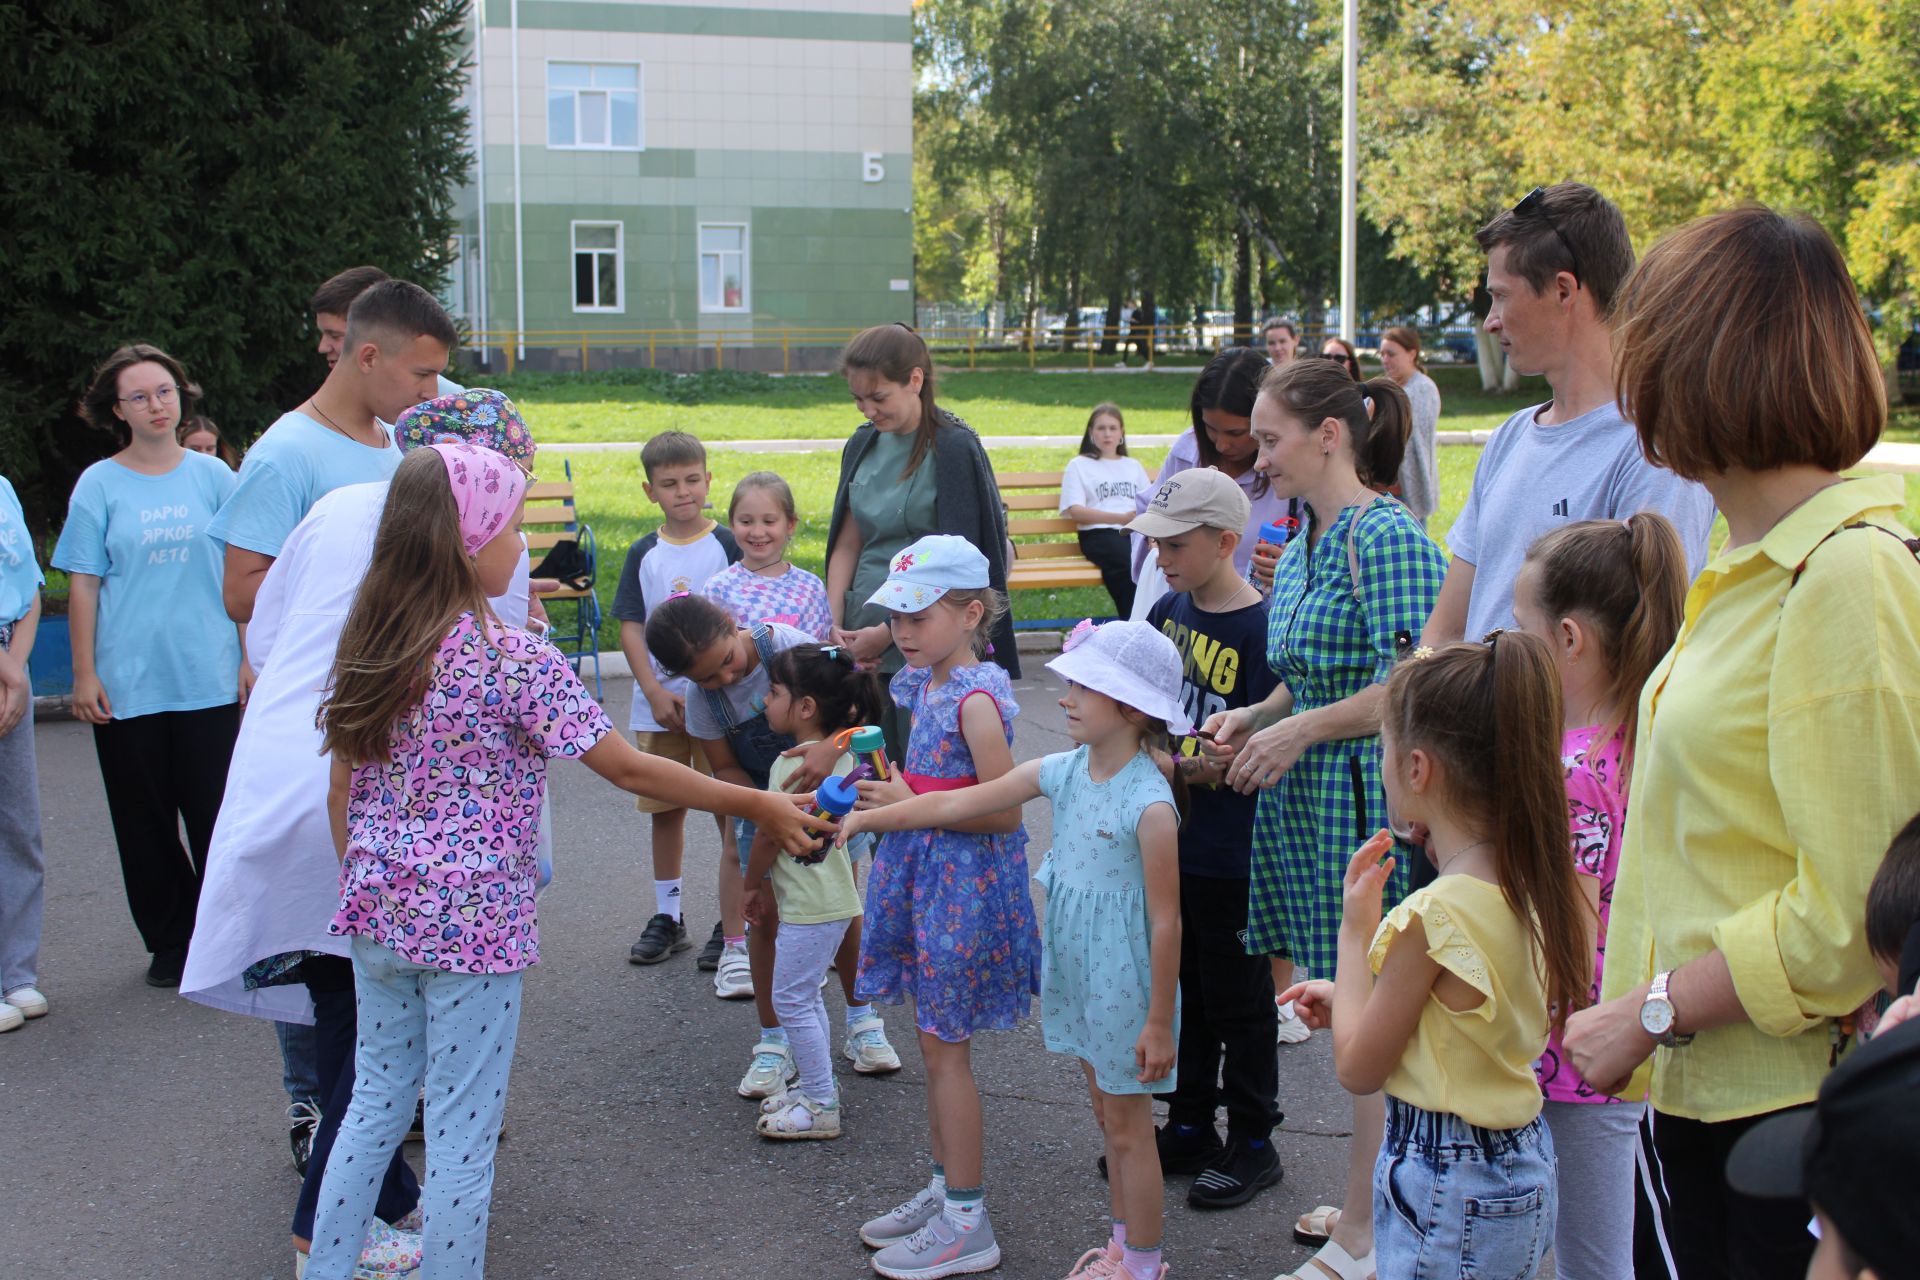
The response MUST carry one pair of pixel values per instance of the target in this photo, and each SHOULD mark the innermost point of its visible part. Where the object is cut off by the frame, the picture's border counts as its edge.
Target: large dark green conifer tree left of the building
(187, 174)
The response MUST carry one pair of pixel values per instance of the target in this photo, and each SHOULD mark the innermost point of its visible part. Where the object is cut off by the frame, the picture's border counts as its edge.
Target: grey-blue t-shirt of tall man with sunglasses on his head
(1535, 479)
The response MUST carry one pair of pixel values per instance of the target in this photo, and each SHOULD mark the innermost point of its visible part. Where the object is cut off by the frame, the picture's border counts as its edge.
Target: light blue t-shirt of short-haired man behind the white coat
(287, 471)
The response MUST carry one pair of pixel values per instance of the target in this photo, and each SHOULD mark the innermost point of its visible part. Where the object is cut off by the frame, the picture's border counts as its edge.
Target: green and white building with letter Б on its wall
(660, 179)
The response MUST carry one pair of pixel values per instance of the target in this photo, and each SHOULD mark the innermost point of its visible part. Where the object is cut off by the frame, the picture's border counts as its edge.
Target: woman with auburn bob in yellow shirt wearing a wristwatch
(1779, 742)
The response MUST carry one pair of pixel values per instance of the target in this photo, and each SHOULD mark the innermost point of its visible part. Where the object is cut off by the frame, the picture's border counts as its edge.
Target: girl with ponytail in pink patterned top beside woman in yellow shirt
(1606, 598)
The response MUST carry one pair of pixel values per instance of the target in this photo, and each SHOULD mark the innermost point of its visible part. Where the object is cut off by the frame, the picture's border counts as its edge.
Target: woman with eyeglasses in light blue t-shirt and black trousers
(156, 659)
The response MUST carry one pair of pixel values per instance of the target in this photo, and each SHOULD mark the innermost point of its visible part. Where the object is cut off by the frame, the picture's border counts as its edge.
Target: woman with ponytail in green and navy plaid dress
(1351, 588)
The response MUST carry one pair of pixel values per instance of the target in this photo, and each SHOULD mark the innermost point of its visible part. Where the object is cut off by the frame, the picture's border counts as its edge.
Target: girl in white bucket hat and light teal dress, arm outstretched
(1113, 937)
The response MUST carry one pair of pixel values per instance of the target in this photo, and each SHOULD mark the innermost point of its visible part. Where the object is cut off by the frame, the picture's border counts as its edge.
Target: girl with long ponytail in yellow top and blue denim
(1451, 999)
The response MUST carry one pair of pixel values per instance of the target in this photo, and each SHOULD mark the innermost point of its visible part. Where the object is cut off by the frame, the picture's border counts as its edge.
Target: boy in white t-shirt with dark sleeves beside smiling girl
(679, 557)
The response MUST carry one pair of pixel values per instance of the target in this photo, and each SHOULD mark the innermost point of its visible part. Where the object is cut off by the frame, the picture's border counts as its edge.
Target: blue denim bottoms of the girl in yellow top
(1452, 1200)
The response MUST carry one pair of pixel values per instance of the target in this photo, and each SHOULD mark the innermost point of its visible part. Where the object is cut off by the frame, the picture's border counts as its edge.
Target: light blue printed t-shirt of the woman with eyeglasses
(164, 642)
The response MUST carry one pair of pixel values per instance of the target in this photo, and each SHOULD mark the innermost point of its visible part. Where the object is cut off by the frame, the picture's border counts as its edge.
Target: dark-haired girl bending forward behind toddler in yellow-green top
(698, 638)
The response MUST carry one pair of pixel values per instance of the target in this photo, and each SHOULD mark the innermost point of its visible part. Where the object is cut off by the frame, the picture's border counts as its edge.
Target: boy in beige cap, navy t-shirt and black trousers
(1228, 1016)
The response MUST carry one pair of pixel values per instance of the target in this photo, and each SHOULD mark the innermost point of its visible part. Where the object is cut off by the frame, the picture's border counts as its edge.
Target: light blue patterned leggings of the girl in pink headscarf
(458, 1031)
